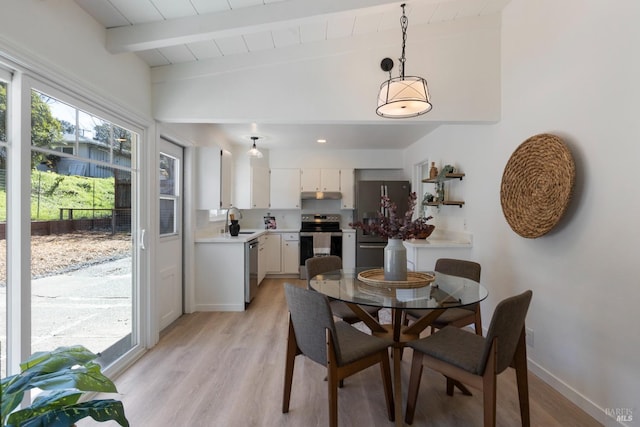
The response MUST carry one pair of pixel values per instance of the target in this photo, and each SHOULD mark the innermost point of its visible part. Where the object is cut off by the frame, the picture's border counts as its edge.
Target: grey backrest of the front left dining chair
(311, 317)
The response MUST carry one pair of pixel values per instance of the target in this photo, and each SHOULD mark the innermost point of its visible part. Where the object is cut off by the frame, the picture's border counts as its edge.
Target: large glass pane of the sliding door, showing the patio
(82, 252)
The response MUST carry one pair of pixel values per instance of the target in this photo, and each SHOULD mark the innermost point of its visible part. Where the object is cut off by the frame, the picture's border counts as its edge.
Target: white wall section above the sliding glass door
(62, 39)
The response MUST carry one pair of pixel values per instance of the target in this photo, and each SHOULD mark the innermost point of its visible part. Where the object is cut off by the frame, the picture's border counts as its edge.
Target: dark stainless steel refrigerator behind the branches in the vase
(370, 246)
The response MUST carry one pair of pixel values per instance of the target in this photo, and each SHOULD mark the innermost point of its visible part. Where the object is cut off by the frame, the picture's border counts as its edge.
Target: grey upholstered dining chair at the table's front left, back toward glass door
(340, 347)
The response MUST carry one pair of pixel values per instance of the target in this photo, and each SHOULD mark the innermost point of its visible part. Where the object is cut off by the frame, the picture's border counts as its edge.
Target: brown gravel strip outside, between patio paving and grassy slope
(60, 253)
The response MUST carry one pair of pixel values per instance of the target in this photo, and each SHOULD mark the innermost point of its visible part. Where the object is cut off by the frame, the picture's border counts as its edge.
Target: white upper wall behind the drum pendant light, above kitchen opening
(459, 58)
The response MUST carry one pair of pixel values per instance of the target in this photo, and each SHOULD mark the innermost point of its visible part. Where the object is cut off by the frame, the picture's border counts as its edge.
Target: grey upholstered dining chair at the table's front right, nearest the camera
(476, 361)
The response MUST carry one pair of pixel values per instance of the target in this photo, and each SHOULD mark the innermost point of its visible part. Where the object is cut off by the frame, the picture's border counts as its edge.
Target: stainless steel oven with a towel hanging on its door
(320, 235)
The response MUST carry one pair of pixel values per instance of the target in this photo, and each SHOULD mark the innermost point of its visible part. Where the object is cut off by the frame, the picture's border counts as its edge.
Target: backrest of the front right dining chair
(506, 325)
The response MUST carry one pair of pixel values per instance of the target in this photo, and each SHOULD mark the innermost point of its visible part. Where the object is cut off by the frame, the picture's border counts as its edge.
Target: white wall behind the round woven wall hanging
(568, 68)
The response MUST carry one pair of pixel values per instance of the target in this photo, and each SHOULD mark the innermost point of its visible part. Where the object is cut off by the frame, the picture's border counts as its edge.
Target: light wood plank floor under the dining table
(226, 369)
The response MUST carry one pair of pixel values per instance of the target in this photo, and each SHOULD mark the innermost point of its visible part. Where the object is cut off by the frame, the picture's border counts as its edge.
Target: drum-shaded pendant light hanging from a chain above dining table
(402, 97)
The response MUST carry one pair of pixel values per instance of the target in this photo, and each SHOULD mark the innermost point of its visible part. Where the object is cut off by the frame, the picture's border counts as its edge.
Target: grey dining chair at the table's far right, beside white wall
(462, 316)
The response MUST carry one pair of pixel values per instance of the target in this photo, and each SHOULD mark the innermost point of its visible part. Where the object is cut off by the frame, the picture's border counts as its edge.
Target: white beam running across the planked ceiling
(278, 15)
